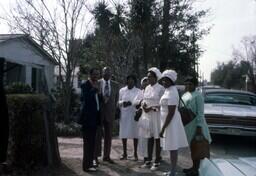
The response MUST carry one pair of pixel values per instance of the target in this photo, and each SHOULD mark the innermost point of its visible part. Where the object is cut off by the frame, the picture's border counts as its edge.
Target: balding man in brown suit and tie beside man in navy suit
(109, 91)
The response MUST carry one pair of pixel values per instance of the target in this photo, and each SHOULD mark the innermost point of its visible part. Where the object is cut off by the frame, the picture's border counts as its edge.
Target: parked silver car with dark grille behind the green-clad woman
(230, 112)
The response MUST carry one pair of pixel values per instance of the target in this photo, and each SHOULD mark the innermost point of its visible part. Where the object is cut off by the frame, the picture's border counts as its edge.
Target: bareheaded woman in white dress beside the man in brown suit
(128, 126)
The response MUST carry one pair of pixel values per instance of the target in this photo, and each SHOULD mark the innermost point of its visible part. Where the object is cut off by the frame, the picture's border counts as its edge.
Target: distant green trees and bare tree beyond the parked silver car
(242, 66)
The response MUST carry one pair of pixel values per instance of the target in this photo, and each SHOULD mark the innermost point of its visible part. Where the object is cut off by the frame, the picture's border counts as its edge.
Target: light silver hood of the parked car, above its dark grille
(230, 110)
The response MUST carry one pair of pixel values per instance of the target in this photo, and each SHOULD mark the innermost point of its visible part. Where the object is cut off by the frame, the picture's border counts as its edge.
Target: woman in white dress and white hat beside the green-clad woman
(172, 133)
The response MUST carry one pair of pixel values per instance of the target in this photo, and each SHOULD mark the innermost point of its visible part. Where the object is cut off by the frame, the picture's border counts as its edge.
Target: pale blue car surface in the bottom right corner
(228, 167)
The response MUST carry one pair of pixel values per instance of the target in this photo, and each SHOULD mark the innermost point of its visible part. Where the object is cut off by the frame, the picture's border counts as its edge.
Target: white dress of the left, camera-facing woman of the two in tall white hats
(149, 123)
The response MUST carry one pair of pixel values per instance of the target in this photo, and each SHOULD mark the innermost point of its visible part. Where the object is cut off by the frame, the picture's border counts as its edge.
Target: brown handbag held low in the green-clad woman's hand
(200, 147)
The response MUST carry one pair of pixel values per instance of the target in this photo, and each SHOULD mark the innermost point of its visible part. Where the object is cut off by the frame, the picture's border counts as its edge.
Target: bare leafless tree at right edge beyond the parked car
(247, 52)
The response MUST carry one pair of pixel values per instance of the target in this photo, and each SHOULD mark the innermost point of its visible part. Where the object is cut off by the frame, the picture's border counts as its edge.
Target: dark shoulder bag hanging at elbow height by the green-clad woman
(187, 115)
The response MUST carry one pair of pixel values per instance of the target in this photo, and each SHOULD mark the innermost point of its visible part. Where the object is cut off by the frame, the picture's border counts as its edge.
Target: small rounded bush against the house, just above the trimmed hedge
(18, 88)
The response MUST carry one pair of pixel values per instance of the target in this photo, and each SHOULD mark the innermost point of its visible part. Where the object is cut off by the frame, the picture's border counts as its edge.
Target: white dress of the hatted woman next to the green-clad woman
(174, 136)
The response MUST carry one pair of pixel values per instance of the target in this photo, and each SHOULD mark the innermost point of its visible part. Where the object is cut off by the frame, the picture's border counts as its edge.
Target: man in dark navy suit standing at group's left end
(90, 117)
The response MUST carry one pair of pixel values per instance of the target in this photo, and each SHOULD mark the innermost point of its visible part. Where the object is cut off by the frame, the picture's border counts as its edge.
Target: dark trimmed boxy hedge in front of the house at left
(27, 146)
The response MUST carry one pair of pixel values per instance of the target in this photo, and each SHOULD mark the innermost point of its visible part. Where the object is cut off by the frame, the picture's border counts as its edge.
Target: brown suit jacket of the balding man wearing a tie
(108, 109)
